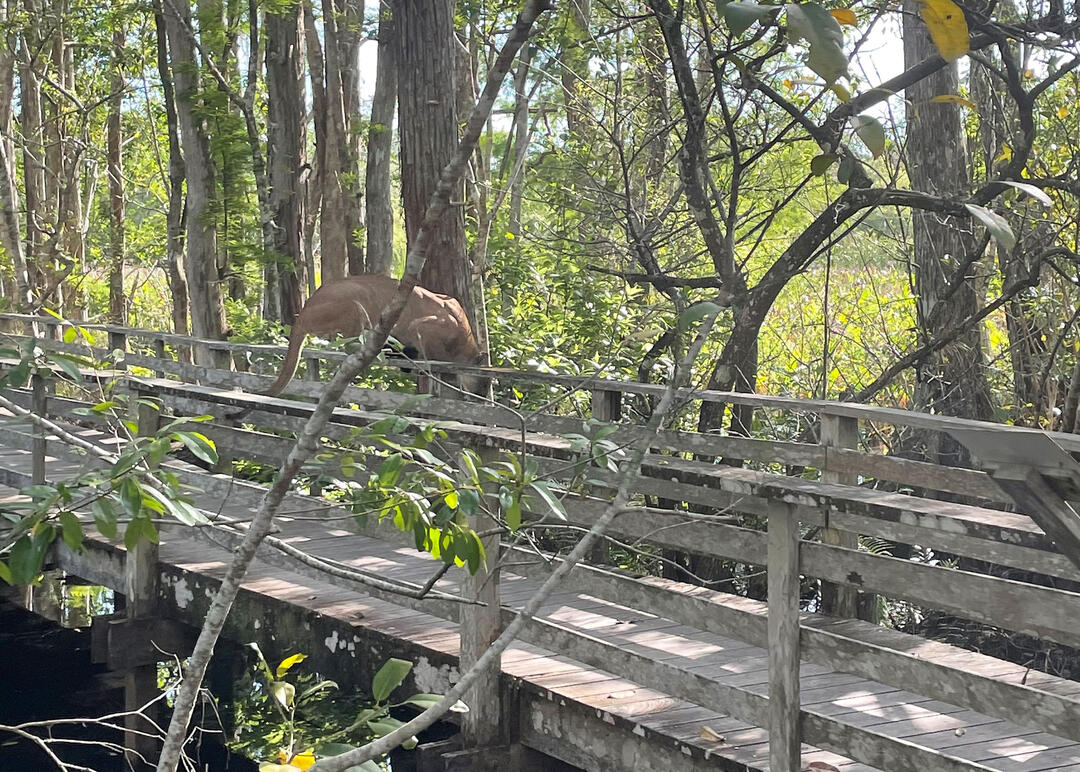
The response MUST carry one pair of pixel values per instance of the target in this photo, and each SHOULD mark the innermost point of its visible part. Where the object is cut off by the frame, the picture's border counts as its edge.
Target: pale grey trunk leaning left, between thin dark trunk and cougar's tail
(208, 311)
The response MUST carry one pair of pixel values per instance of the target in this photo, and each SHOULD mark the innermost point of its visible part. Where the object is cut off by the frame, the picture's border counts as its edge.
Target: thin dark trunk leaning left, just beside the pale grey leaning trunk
(175, 216)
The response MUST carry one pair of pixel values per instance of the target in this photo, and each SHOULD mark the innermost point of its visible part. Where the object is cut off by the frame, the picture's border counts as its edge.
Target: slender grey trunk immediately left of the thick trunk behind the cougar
(381, 214)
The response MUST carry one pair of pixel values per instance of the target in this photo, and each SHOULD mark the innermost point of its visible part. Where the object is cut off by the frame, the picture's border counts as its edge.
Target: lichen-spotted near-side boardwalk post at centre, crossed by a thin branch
(480, 626)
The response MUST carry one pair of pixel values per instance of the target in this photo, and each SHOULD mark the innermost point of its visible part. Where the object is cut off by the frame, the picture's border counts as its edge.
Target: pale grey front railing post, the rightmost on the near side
(784, 559)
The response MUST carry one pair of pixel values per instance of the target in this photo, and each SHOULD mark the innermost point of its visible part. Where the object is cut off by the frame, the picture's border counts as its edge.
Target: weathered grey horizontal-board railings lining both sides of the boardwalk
(834, 491)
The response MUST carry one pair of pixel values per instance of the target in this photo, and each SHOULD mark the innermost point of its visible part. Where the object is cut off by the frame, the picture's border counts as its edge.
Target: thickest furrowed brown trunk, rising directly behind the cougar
(428, 128)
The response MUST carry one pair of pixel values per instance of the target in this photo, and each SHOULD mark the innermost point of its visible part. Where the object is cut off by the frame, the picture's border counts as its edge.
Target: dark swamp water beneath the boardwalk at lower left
(47, 674)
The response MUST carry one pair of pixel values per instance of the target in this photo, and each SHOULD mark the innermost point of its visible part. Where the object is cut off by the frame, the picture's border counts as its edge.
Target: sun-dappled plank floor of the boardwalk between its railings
(599, 701)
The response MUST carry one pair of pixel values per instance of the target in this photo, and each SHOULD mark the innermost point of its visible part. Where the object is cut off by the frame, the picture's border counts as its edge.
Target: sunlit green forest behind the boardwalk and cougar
(911, 242)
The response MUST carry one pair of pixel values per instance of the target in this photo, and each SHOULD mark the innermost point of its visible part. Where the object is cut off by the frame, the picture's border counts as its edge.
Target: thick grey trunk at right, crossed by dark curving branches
(954, 382)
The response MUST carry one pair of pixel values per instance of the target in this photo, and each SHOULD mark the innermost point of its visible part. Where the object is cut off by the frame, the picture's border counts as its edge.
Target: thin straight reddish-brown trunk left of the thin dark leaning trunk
(116, 175)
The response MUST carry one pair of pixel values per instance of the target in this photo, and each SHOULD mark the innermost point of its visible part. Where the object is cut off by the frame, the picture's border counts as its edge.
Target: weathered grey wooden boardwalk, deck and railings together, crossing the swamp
(624, 672)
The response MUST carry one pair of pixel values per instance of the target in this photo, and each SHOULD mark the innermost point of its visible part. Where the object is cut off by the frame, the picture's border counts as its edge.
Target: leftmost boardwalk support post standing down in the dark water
(141, 598)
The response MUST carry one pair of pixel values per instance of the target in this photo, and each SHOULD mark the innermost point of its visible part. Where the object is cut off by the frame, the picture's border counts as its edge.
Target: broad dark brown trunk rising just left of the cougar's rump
(286, 148)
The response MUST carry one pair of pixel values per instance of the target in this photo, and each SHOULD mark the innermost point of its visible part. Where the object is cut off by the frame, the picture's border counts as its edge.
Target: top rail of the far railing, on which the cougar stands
(893, 416)
